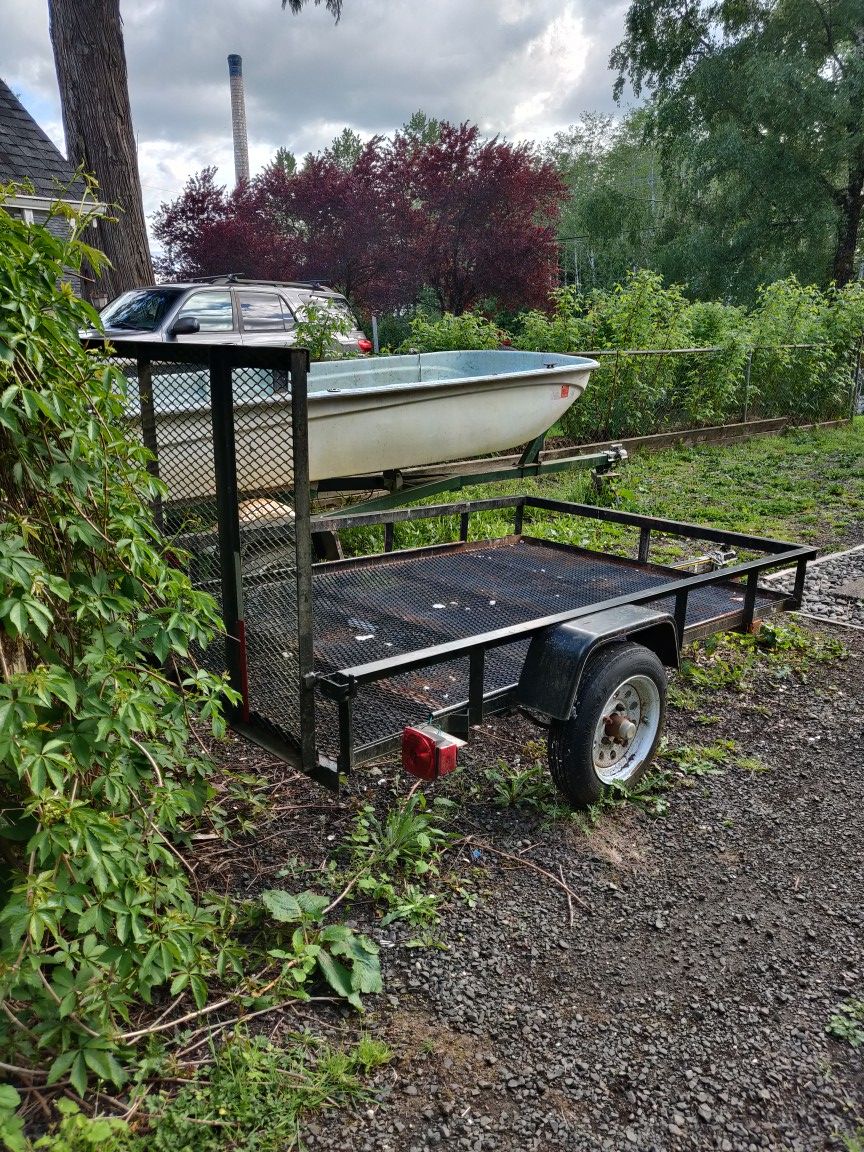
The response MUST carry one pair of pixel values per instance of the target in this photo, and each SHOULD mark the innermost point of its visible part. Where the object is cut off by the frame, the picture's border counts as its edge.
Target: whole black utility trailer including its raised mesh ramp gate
(342, 663)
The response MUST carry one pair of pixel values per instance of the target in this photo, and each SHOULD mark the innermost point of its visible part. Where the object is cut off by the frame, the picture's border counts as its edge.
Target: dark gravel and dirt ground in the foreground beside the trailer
(680, 1003)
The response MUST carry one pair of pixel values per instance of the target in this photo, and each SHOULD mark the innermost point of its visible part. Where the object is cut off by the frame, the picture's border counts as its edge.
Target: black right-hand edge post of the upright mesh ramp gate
(304, 543)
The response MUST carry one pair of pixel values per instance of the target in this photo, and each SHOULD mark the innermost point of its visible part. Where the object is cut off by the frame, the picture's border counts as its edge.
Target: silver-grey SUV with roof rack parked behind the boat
(228, 310)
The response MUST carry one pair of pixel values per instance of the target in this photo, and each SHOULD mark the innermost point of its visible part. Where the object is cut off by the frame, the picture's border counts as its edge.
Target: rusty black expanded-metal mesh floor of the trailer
(373, 611)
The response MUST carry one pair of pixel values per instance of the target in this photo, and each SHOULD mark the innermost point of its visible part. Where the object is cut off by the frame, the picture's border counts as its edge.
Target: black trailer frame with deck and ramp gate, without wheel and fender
(301, 696)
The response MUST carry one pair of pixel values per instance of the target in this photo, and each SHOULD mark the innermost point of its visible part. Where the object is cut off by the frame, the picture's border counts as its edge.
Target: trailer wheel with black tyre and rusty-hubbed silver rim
(615, 727)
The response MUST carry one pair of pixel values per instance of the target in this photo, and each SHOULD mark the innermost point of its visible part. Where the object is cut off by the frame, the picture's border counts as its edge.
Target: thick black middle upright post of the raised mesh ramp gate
(225, 465)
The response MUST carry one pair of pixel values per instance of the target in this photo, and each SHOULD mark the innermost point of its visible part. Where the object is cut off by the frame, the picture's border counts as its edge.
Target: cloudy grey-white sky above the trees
(519, 69)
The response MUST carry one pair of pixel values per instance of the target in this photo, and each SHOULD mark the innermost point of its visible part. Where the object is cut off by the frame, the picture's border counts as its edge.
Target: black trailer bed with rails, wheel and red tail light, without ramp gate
(437, 639)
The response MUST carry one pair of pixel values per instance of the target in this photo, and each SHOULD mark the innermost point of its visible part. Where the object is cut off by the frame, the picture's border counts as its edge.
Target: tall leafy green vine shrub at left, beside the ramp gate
(97, 698)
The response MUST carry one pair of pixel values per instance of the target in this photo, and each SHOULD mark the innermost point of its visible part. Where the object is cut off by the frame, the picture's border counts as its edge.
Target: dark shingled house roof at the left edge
(27, 155)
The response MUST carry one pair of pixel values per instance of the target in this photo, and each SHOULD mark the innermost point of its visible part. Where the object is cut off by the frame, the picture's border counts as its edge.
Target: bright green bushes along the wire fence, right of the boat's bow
(635, 396)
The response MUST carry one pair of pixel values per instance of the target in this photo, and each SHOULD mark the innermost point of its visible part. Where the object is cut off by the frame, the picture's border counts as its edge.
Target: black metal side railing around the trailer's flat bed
(344, 686)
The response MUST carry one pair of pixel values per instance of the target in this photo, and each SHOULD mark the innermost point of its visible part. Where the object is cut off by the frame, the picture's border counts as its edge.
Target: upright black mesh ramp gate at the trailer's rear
(228, 431)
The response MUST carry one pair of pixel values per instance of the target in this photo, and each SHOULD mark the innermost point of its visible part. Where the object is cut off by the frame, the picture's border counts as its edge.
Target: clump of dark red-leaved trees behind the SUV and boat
(472, 219)
